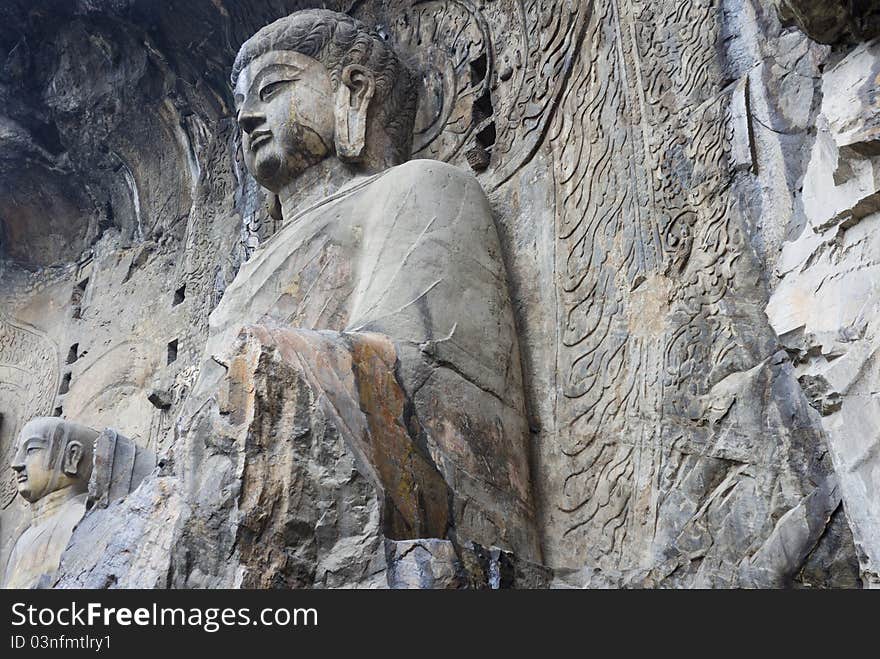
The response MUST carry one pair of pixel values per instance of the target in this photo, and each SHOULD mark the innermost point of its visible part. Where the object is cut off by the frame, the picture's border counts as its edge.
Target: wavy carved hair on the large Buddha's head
(337, 40)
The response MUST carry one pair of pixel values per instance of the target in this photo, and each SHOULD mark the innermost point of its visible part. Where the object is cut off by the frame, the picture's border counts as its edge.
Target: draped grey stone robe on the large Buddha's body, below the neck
(390, 299)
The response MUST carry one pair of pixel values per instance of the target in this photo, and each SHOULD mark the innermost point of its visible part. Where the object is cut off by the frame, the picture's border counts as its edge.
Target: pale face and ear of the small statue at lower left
(39, 468)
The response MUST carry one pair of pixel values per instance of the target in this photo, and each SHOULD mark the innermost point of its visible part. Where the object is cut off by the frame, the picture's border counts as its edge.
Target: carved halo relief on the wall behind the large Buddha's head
(490, 73)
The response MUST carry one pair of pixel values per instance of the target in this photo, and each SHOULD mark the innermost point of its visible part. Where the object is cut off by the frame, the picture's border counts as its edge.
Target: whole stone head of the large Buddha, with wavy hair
(319, 84)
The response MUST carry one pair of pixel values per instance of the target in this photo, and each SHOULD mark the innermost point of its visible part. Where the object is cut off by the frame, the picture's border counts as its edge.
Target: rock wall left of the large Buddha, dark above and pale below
(119, 186)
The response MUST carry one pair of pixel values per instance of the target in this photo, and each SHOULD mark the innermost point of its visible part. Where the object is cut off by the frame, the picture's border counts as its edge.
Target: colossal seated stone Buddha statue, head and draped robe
(384, 286)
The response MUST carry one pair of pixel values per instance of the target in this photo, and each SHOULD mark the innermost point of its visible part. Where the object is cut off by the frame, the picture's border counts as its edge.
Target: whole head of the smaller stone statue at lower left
(52, 454)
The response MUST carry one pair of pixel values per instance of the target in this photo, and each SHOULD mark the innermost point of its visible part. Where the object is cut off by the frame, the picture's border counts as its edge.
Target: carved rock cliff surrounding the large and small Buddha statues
(688, 205)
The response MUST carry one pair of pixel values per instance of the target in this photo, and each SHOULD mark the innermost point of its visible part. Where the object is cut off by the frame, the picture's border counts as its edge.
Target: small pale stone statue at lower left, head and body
(52, 462)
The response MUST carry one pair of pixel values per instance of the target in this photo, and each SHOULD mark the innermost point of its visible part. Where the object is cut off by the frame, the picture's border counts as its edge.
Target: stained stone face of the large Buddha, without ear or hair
(285, 106)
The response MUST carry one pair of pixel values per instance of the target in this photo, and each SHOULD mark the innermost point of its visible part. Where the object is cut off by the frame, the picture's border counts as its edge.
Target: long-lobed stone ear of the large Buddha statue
(356, 89)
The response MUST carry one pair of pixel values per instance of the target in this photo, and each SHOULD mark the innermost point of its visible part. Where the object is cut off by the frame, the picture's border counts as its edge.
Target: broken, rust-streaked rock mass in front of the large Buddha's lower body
(287, 477)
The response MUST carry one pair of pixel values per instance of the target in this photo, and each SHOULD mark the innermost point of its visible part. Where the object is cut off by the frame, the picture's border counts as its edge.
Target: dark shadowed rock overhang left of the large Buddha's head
(101, 103)
